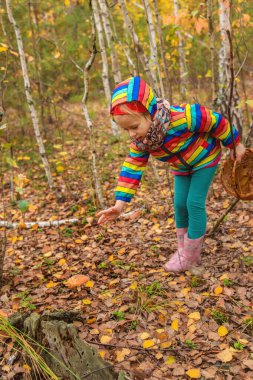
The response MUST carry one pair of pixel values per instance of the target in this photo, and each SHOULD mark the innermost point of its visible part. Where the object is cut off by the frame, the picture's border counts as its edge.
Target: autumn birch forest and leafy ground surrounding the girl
(60, 155)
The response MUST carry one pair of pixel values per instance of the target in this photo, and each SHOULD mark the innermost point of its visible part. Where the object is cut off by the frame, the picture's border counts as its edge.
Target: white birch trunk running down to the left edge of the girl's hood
(105, 69)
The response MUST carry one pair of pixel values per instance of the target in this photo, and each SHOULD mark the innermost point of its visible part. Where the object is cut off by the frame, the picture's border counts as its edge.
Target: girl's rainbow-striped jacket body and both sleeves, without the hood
(196, 132)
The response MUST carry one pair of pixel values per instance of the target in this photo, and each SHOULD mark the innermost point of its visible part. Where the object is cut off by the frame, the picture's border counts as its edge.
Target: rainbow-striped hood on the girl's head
(134, 89)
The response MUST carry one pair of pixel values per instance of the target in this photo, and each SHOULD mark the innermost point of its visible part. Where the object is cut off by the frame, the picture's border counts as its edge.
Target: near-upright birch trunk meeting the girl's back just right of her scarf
(153, 46)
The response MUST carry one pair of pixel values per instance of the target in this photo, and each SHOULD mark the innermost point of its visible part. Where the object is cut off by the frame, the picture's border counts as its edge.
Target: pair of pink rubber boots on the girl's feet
(187, 258)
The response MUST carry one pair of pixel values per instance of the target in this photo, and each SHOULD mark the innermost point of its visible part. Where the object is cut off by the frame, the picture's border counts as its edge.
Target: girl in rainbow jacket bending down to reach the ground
(186, 136)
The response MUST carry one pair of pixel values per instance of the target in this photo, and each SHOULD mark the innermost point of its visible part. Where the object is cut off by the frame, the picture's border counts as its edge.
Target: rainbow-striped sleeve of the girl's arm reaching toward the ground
(131, 173)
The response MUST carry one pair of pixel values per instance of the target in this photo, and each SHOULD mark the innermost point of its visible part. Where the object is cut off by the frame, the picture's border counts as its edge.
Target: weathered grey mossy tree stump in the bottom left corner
(67, 355)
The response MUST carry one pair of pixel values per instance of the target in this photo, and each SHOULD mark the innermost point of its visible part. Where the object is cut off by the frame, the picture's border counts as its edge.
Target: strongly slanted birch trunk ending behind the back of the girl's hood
(139, 50)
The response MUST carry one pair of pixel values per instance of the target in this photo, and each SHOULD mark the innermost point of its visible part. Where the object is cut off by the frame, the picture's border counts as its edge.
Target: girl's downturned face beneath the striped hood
(136, 126)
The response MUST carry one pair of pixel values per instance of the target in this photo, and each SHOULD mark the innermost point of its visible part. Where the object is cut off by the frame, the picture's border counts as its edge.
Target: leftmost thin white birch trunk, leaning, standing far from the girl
(28, 94)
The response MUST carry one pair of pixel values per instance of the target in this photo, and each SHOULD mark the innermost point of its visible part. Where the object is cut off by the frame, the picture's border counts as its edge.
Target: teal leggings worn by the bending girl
(190, 199)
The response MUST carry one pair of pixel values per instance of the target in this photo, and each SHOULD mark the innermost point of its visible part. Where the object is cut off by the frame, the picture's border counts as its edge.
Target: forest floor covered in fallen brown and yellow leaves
(153, 324)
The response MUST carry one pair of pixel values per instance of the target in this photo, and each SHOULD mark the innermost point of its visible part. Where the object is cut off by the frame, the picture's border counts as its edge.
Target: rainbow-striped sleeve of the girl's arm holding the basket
(203, 120)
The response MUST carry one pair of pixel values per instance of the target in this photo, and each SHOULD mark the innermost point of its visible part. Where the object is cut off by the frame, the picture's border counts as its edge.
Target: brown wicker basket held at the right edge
(237, 178)
